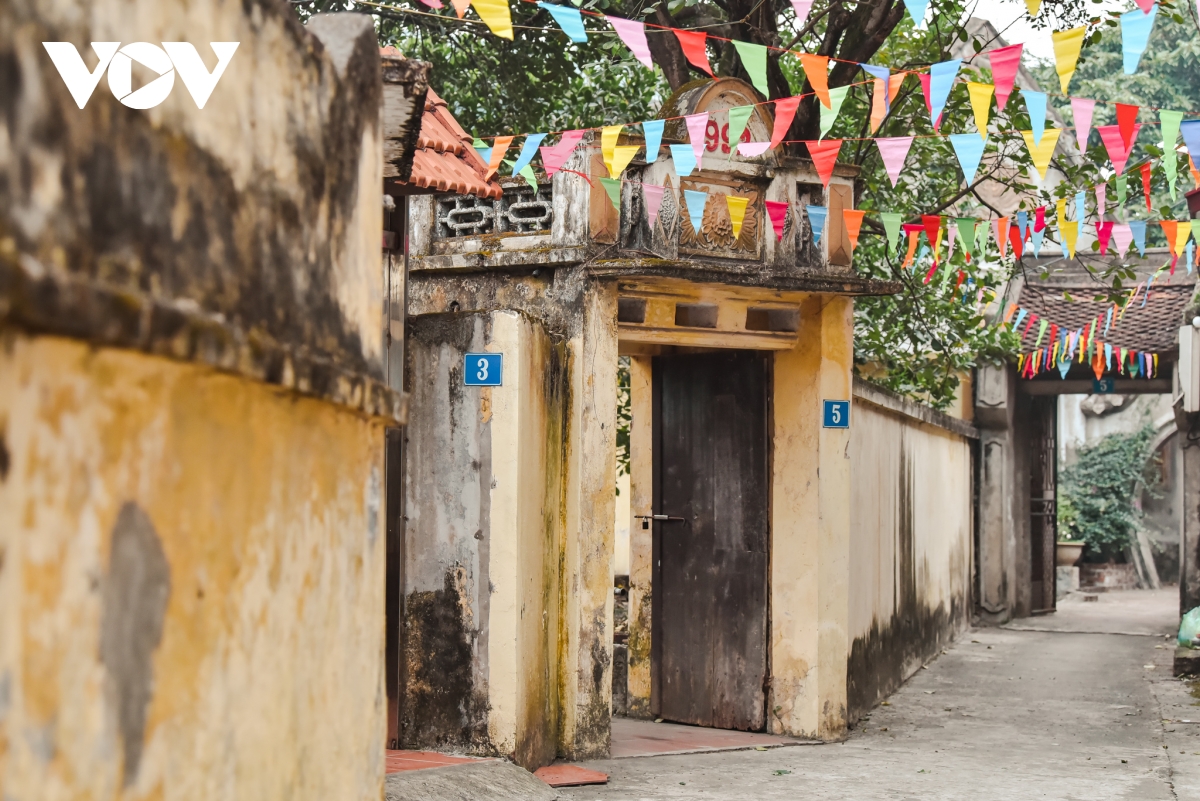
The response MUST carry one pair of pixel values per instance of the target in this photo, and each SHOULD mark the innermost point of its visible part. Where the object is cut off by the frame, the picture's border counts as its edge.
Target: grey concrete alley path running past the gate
(1003, 714)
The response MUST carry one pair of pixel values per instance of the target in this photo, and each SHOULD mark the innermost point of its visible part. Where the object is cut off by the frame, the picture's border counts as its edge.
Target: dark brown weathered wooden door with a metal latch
(710, 589)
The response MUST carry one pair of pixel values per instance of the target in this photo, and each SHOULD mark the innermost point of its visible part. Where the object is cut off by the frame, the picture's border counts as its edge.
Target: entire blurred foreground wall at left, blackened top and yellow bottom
(193, 413)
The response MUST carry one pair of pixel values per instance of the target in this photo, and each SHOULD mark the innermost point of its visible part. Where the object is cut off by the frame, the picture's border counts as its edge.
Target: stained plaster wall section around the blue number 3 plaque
(485, 538)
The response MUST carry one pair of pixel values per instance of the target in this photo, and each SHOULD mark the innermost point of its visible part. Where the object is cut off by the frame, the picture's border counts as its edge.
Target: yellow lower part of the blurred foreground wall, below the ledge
(268, 679)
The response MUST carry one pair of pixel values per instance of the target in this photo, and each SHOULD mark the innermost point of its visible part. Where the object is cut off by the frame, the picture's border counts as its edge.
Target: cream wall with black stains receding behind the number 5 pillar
(911, 533)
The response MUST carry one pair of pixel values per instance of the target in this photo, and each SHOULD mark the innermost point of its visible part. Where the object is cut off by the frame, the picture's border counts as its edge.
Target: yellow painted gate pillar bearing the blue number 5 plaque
(811, 527)
